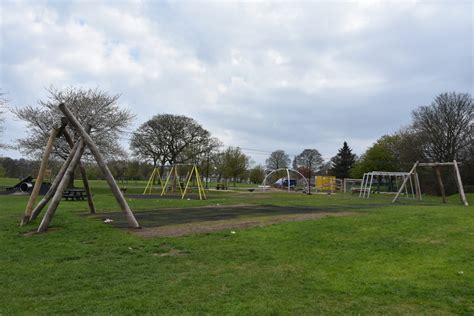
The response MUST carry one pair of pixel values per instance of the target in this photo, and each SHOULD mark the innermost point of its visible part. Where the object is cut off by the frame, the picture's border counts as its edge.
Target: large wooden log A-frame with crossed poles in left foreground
(66, 173)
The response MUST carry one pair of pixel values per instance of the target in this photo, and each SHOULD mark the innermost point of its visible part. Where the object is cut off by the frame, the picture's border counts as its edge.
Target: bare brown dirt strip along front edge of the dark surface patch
(221, 225)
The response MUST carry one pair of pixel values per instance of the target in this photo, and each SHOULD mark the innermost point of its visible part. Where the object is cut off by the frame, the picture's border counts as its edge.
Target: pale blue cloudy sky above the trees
(259, 75)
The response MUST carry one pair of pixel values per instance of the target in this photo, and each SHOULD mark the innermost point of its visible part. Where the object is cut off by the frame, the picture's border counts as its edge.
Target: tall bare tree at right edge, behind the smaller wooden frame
(446, 127)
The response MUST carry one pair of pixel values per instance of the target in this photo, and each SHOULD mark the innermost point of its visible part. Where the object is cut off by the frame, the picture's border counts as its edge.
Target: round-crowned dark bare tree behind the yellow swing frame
(168, 138)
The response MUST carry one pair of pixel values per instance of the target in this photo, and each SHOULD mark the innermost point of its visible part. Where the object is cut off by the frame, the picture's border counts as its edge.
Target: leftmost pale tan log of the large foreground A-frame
(39, 179)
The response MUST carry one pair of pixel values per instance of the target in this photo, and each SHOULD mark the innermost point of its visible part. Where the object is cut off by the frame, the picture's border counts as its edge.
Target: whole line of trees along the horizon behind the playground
(441, 131)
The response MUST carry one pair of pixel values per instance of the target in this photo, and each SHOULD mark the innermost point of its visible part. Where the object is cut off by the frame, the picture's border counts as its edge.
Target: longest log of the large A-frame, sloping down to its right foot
(132, 222)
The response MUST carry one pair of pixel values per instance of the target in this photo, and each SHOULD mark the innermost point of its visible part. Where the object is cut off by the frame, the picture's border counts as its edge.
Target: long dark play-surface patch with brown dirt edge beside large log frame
(196, 220)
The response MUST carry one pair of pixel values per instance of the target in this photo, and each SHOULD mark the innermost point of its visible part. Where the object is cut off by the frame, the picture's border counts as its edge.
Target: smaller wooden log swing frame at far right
(437, 168)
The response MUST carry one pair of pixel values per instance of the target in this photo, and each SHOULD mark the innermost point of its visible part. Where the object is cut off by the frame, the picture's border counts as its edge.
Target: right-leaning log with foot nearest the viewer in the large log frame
(58, 195)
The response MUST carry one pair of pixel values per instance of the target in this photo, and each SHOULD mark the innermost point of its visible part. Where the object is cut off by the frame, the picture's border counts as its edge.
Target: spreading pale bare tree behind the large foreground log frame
(92, 107)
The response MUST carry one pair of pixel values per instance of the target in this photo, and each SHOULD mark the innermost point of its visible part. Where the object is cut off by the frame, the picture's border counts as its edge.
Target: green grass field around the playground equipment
(409, 258)
